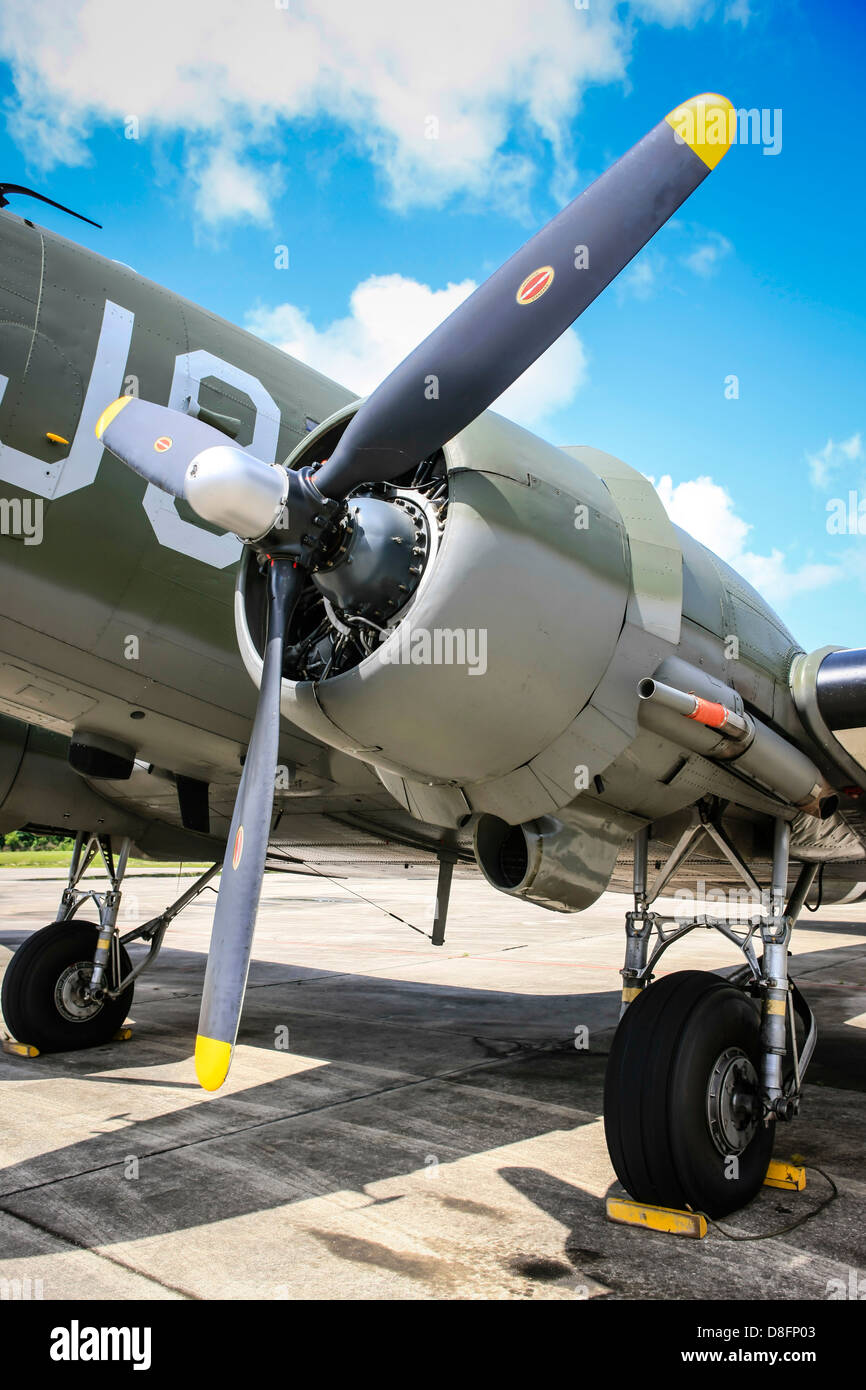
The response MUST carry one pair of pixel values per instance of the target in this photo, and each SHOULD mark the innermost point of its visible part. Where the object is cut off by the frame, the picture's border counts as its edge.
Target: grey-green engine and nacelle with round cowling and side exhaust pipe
(482, 630)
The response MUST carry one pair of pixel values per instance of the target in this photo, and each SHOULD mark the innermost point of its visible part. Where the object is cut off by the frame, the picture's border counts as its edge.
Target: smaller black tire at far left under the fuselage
(34, 997)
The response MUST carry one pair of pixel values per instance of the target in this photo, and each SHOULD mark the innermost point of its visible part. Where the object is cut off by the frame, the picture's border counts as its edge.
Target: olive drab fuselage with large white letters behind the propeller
(116, 610)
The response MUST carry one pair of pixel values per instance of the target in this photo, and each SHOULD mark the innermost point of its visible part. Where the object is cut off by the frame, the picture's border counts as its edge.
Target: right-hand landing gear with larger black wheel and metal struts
(703, 1068)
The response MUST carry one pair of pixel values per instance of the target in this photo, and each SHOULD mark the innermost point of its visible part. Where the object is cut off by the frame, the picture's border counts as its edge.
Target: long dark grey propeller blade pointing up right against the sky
(515, 316)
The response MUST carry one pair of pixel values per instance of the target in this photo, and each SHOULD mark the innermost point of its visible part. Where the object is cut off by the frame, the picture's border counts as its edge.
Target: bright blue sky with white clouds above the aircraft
(307, 126)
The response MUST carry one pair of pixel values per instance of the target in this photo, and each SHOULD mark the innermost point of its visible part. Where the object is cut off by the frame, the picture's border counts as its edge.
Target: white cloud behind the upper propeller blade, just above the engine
(389, 316)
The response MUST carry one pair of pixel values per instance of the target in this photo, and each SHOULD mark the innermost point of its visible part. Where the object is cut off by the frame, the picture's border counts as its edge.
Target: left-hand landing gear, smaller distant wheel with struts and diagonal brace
(72, 985)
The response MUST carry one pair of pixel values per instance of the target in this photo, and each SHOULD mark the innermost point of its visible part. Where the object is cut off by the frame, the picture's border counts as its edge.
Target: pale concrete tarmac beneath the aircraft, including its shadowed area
(401, 1121)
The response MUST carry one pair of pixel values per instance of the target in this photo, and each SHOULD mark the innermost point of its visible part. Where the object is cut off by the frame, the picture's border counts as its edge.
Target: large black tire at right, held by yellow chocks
(664, 1056)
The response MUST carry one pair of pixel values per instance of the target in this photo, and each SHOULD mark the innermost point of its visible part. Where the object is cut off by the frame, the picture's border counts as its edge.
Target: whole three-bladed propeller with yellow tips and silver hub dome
(469, 361)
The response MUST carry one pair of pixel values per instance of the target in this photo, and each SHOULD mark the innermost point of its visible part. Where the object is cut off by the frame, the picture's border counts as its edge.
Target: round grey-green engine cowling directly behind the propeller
(504, 640)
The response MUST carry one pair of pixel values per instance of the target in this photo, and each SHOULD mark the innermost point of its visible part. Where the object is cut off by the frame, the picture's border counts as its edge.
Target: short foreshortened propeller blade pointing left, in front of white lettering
(155, 441)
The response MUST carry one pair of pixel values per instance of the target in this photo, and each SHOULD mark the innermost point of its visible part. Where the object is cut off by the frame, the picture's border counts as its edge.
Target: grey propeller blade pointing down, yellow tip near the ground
(248, 842)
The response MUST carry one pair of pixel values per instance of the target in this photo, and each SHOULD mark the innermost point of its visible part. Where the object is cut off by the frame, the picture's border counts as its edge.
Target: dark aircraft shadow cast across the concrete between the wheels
(368, 1100)
